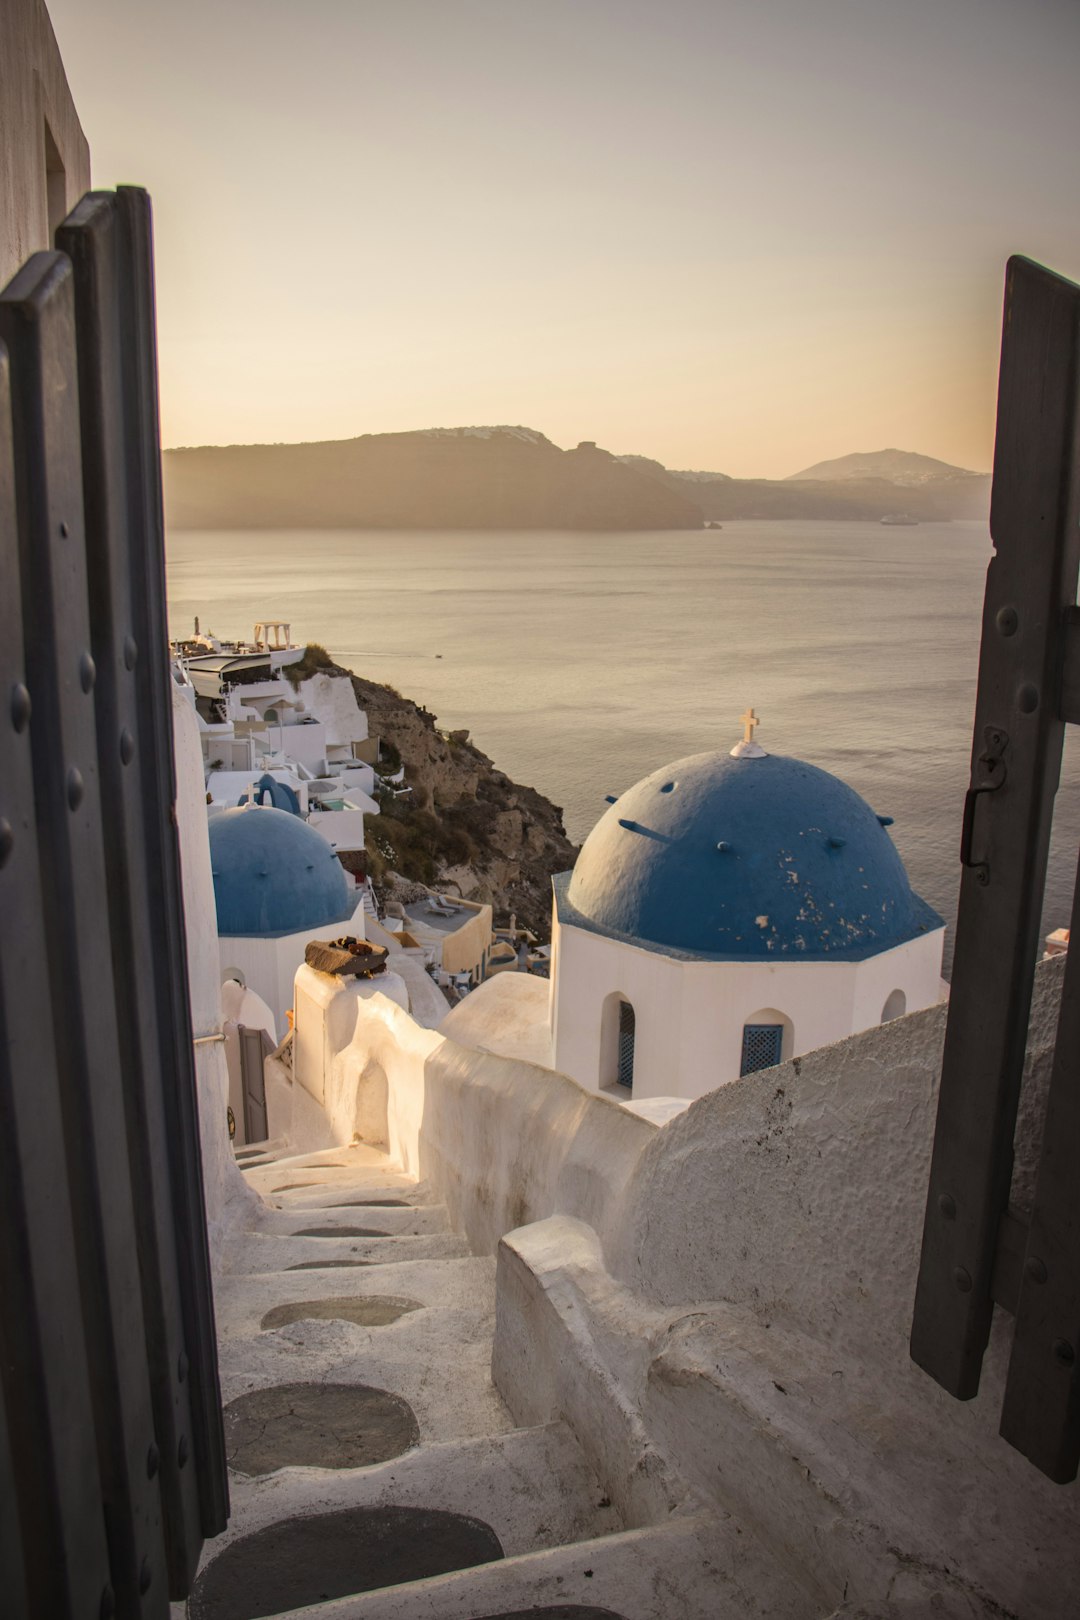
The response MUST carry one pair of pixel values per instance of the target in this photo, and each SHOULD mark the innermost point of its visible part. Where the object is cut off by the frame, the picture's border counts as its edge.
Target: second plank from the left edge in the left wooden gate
(38, 325)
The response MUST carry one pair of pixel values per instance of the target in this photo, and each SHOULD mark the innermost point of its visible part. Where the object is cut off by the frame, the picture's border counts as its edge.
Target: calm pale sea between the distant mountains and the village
(584, 662)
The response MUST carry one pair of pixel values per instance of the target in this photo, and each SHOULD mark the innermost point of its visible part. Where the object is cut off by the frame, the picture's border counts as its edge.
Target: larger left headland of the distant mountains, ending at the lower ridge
(441, 479)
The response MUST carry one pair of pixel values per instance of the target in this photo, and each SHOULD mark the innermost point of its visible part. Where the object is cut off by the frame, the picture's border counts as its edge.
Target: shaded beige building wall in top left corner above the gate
(40, 132)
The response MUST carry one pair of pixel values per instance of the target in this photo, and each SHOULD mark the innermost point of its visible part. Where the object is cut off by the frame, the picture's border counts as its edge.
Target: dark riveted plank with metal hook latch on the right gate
(1016, 761)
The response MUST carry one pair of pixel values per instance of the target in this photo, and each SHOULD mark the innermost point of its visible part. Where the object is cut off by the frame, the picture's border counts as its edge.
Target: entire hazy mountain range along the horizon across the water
(508, 479)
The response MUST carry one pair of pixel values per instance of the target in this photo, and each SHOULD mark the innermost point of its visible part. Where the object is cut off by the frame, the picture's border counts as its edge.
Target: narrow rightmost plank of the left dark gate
(159, 790)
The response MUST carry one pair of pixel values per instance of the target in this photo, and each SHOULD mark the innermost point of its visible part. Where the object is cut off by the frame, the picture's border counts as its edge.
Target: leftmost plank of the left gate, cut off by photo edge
(43, 1352)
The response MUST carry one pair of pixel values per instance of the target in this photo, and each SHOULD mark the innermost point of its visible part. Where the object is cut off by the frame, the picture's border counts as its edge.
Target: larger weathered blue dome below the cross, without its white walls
(746, 858)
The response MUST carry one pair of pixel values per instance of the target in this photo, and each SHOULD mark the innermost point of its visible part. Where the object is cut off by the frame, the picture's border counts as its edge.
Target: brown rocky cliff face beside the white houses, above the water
(464, 825)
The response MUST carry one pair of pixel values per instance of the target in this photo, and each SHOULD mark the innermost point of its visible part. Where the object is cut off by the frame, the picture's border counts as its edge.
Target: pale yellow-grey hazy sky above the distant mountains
(741, 236)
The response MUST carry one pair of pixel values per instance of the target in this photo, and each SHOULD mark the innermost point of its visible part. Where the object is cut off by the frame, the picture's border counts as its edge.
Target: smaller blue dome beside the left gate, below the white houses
(274, 874)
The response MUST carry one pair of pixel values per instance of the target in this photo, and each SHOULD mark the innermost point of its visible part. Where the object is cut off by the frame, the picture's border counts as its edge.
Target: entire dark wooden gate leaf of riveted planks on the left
(111, 1394)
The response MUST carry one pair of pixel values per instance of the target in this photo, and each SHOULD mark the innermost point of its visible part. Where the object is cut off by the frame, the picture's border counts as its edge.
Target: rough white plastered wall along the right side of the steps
(721, 1308)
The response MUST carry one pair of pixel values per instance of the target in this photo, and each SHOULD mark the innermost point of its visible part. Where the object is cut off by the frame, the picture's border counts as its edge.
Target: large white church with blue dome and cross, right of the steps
(728, 913)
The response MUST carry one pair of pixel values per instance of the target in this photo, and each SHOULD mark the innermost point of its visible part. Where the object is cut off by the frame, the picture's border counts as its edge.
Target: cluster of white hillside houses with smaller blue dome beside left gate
(289, 770)
